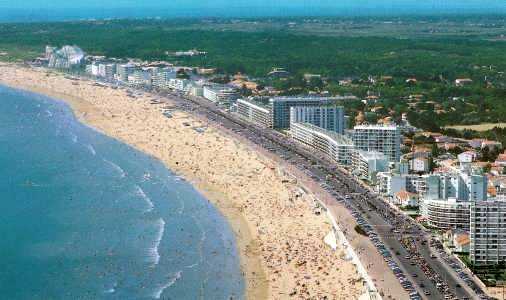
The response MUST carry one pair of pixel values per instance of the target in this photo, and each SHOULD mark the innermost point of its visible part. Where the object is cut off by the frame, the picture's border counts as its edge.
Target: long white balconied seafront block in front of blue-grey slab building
(336, 146)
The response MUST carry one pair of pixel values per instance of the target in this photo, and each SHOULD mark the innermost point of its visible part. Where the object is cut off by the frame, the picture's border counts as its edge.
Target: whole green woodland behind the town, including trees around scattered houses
(435, 62)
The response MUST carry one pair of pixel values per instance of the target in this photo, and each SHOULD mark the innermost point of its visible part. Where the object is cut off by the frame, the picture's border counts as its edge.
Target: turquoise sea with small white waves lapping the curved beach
(83, 216)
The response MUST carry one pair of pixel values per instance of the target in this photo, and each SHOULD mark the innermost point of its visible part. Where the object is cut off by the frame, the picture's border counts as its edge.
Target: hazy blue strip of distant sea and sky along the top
(40, 10)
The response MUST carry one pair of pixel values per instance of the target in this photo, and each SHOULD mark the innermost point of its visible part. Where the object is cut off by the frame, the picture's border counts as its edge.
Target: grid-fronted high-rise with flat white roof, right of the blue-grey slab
(381, 138)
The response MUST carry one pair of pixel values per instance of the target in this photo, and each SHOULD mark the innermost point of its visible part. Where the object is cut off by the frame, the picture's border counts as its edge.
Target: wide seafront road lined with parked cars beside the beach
(429, 276)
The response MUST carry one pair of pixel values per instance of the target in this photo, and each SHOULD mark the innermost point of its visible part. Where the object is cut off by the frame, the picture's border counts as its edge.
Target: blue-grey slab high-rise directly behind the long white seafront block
(328, 117)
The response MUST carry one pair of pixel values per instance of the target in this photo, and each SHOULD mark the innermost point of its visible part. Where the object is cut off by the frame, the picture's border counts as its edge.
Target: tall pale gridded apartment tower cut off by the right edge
(488, 232)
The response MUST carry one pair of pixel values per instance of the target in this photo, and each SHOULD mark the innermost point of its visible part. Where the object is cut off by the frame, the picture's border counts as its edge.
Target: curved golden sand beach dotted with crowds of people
(280, 238)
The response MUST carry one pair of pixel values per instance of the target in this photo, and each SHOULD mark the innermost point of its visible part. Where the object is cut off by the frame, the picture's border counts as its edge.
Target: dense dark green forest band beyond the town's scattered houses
(256, 53)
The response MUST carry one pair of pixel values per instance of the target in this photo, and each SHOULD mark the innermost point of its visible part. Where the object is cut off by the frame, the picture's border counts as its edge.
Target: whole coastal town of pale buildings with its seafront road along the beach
(442, 196)
